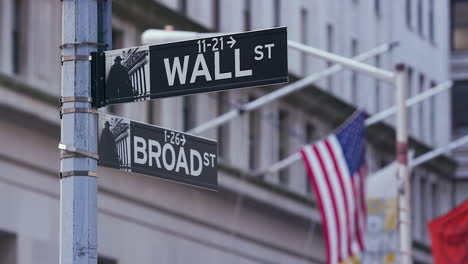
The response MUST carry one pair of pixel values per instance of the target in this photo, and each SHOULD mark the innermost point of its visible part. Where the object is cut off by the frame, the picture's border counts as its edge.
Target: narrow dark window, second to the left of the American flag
(254, 138)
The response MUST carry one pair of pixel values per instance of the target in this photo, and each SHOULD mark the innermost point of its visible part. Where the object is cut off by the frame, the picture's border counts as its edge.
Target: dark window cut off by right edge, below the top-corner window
(460, 108)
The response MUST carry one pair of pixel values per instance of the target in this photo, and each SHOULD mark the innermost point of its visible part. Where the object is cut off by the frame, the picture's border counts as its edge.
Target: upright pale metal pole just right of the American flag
(404, 213)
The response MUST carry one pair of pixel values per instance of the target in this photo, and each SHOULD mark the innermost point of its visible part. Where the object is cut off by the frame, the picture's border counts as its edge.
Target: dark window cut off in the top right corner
(459, 25)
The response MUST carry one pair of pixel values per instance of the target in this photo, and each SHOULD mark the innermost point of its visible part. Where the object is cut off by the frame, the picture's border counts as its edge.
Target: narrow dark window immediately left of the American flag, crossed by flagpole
(283, 149)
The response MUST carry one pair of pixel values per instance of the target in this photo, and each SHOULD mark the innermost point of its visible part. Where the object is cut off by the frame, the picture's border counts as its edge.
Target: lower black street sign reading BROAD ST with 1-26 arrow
(154, 151)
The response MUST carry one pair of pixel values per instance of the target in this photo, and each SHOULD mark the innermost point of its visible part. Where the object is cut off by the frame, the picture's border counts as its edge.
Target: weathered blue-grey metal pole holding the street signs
(78, 184)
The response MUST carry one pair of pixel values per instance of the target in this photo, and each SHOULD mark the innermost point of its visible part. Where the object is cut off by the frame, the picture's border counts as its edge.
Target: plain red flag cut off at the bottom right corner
(449, 236)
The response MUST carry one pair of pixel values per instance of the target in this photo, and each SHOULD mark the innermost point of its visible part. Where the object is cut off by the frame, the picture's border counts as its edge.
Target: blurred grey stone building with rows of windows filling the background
(270, 219)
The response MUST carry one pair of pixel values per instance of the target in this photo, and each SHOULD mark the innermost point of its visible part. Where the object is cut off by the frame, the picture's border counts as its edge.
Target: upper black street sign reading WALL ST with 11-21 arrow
(216, 63)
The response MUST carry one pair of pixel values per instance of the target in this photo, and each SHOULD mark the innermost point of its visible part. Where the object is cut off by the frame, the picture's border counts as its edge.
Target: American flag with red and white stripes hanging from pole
(336, 168)
